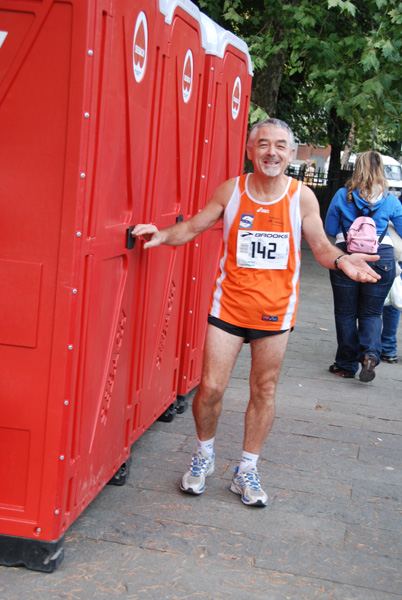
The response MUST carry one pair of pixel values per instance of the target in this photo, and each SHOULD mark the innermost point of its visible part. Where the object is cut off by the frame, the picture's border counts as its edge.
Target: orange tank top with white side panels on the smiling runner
(257, 284)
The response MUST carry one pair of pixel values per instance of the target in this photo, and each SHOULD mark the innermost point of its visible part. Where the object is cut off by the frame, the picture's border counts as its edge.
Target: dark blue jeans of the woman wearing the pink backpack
(358, 310)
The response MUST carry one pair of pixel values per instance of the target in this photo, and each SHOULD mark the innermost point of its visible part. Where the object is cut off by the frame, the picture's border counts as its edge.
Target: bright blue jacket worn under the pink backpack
(388, 208)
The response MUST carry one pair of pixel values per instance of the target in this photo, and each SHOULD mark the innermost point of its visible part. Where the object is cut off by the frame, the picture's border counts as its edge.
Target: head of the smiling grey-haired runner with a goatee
(270, 150)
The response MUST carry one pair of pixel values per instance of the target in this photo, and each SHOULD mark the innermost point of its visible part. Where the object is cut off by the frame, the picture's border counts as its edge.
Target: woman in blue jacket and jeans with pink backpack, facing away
(358, 306)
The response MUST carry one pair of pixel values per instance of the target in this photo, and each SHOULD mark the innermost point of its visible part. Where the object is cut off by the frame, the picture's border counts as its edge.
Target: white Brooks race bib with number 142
(262, 249)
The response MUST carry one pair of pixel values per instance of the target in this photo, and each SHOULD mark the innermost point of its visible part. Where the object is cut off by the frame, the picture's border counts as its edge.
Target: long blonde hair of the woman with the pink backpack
(368, 177)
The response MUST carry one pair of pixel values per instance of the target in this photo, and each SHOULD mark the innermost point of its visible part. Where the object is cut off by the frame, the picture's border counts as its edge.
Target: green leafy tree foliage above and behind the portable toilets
(323, 65)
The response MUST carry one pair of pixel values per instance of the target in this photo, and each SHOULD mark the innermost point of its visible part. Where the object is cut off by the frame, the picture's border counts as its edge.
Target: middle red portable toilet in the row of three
(170, 197)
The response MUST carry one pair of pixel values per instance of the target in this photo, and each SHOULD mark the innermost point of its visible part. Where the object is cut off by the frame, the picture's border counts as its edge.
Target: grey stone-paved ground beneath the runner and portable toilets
(332, 467)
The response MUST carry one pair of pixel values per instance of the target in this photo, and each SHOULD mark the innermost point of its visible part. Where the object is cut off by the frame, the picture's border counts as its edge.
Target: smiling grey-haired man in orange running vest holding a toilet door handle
(255, 294)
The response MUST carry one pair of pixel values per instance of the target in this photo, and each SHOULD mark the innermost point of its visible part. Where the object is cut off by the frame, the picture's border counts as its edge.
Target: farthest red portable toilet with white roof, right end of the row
(224, 118)
